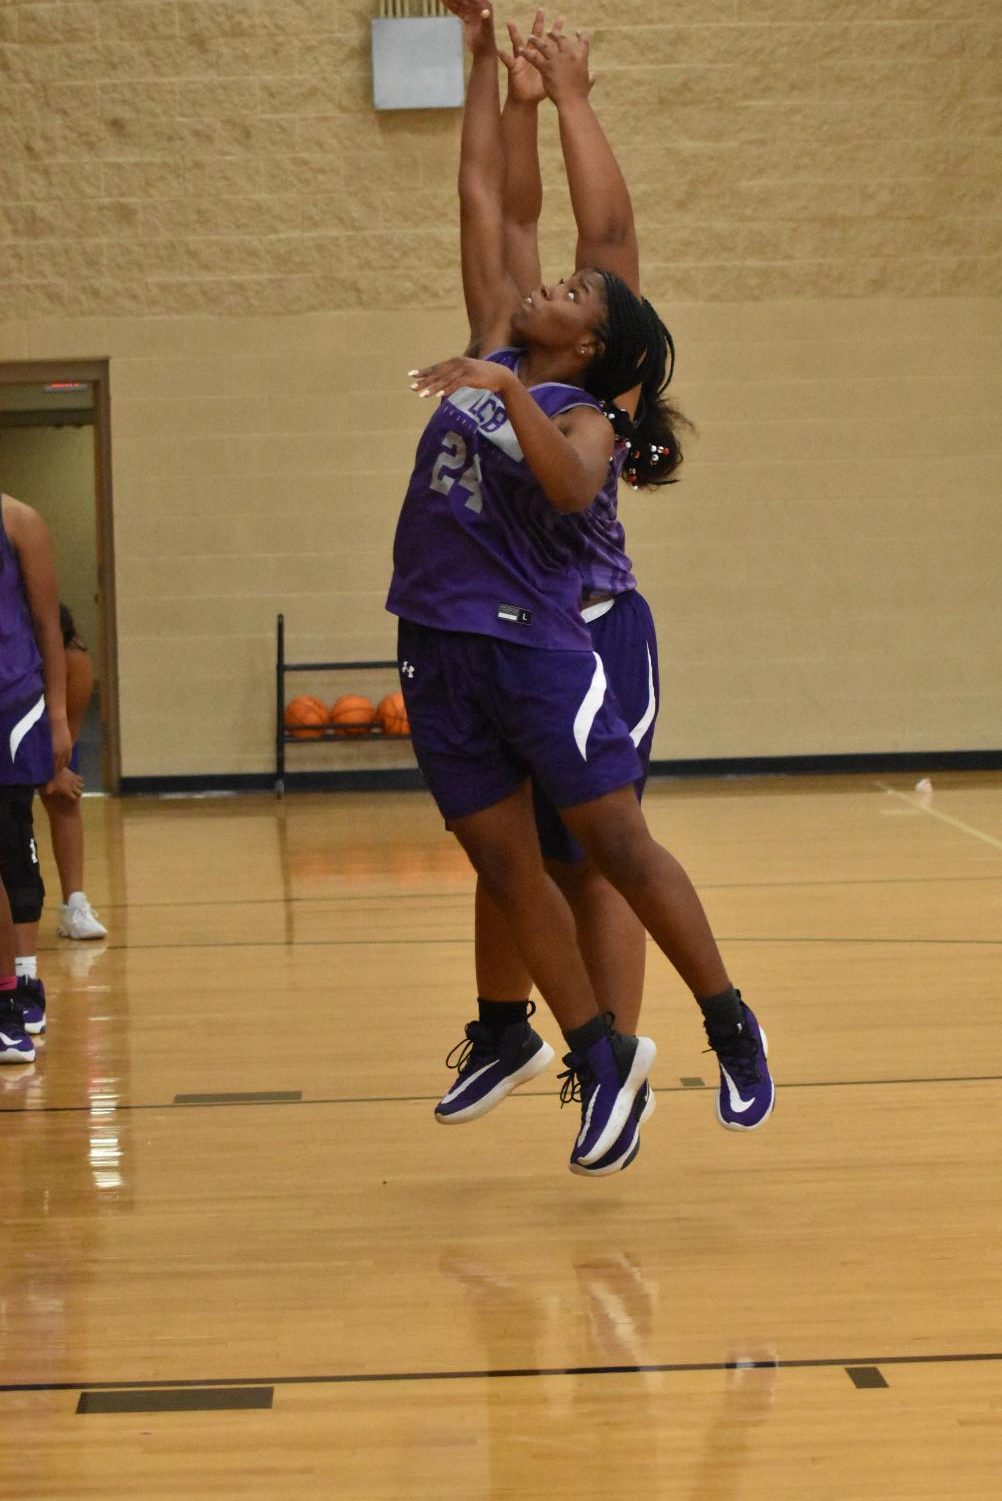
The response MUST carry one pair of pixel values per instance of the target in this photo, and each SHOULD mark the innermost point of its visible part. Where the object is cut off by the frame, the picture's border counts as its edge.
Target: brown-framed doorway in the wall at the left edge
(55, 456)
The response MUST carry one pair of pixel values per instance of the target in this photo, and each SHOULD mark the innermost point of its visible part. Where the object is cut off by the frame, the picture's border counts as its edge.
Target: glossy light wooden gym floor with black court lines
(242, 1260)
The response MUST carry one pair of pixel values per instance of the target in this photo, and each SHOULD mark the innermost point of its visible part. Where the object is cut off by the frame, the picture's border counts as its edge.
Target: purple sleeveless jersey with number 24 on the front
(479, 549)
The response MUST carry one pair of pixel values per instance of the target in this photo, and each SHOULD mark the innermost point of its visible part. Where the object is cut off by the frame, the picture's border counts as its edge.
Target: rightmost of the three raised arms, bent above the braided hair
(601, 200)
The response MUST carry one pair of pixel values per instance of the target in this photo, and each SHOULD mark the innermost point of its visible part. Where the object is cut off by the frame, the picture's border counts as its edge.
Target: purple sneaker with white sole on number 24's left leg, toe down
(607, 1080)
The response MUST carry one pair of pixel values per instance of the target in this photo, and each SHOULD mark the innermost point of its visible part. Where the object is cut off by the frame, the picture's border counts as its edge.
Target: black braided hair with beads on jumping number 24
(637, 349)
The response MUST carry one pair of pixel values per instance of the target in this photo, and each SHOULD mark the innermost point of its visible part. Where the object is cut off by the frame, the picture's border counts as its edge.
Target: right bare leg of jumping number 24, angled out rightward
(616, 835)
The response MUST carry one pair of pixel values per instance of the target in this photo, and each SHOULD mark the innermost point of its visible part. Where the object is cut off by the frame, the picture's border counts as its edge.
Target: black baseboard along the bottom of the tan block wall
(398, 780)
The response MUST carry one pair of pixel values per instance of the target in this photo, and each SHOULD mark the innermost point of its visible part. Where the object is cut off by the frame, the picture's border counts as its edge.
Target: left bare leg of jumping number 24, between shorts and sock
(503, 847)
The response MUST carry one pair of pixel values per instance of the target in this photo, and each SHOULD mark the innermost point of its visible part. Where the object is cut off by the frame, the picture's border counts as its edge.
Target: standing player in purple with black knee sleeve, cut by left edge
(35, 742)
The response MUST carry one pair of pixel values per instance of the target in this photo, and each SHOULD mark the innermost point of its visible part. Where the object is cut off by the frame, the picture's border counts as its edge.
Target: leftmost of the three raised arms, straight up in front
(488, 287)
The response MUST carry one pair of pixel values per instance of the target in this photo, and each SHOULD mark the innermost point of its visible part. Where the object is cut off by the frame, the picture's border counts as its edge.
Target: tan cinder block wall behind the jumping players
(202, 193)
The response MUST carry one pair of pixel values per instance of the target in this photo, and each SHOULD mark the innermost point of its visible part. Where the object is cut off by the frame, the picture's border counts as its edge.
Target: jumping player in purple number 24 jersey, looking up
(496, 664)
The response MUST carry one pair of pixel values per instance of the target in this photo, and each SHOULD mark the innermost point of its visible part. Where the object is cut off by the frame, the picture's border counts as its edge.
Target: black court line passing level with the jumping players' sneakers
(296, 1096)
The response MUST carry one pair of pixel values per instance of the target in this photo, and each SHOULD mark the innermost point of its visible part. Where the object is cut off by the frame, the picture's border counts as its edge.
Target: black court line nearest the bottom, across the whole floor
(506, 1374)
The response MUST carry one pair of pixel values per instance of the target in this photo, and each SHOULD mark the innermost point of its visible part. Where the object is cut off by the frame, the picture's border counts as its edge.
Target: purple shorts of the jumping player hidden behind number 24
(623, 636)
